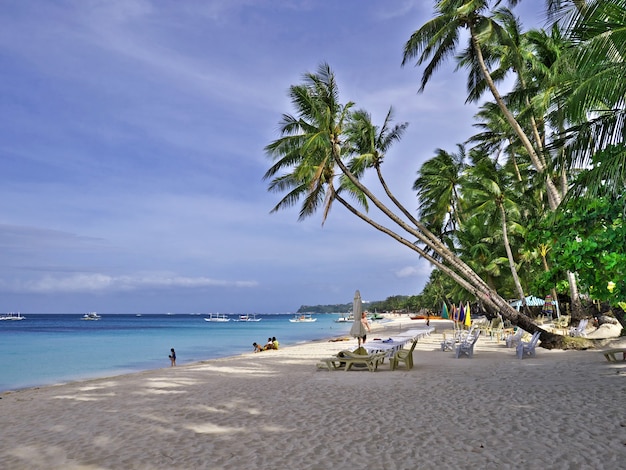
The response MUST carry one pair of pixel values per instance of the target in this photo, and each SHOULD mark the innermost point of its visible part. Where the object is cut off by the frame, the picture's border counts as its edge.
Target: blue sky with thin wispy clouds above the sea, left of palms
(131, 152)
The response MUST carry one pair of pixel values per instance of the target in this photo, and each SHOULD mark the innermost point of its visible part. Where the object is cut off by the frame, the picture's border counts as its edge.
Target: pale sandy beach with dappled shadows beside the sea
(276, 410)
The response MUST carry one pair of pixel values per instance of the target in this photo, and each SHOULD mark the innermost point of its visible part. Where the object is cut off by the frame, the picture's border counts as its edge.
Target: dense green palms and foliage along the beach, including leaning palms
(533, 202)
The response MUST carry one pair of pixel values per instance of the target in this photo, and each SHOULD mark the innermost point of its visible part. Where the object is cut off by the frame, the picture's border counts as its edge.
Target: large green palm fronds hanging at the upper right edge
(594, 98)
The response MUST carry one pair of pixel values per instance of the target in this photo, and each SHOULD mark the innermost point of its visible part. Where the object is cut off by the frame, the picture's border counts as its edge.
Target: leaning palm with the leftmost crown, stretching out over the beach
(312, 162)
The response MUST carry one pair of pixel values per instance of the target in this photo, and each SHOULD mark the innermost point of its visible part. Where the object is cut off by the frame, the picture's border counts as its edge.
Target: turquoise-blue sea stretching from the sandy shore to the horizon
(46, 349)
